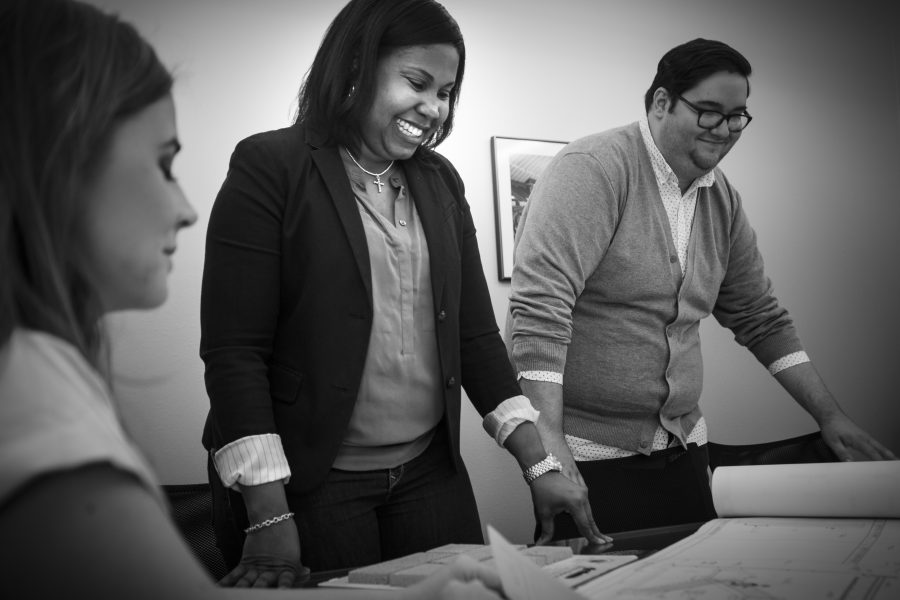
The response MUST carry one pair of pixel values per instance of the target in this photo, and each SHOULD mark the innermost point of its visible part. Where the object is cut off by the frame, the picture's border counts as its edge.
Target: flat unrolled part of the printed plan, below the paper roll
(766, 558)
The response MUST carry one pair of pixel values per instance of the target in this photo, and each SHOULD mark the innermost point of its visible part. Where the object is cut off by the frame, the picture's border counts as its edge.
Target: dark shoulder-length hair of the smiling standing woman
(339, 87)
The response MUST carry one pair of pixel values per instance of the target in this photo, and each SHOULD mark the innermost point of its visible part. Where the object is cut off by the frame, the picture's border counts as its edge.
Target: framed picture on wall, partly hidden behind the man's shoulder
(517, 164)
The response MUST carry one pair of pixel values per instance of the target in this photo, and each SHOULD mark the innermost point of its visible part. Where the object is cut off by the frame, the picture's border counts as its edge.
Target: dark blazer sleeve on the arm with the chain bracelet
(240, 291)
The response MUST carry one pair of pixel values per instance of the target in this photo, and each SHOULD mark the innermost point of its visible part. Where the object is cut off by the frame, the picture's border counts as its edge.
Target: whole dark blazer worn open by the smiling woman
(286, 306)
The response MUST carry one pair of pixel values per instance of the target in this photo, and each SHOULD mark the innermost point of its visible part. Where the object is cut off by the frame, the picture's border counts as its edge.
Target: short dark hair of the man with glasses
(684, 66)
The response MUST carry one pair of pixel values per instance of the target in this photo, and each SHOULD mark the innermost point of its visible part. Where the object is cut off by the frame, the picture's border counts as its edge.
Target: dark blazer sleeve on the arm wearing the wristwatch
(487, 375)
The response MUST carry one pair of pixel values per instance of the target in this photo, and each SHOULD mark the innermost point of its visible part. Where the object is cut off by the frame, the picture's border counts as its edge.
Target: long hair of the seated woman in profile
(68, 74)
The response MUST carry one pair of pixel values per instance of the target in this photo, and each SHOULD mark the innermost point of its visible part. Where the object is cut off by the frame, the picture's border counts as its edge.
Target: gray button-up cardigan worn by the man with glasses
(597, 293)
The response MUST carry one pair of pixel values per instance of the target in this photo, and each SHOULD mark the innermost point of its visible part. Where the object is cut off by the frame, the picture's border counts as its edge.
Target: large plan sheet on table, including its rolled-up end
(795, 534)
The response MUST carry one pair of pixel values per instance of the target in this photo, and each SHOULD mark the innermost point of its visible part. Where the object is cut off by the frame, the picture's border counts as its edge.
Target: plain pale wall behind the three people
(817, 169)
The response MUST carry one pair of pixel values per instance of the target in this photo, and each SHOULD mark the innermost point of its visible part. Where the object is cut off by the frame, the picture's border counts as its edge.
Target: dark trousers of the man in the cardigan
(668, 487)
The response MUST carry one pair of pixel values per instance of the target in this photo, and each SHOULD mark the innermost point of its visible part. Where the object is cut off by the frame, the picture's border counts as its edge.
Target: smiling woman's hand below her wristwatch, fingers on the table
(553, 493)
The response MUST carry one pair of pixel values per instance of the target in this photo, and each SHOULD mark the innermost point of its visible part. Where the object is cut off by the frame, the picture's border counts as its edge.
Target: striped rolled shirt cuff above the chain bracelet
(252, 460)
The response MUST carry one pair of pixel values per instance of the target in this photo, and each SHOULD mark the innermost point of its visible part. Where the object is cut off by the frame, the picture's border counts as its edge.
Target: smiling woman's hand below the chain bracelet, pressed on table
(271, 558)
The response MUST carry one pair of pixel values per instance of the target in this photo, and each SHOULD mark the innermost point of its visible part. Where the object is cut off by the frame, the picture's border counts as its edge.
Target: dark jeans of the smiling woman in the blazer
(357, 518)
